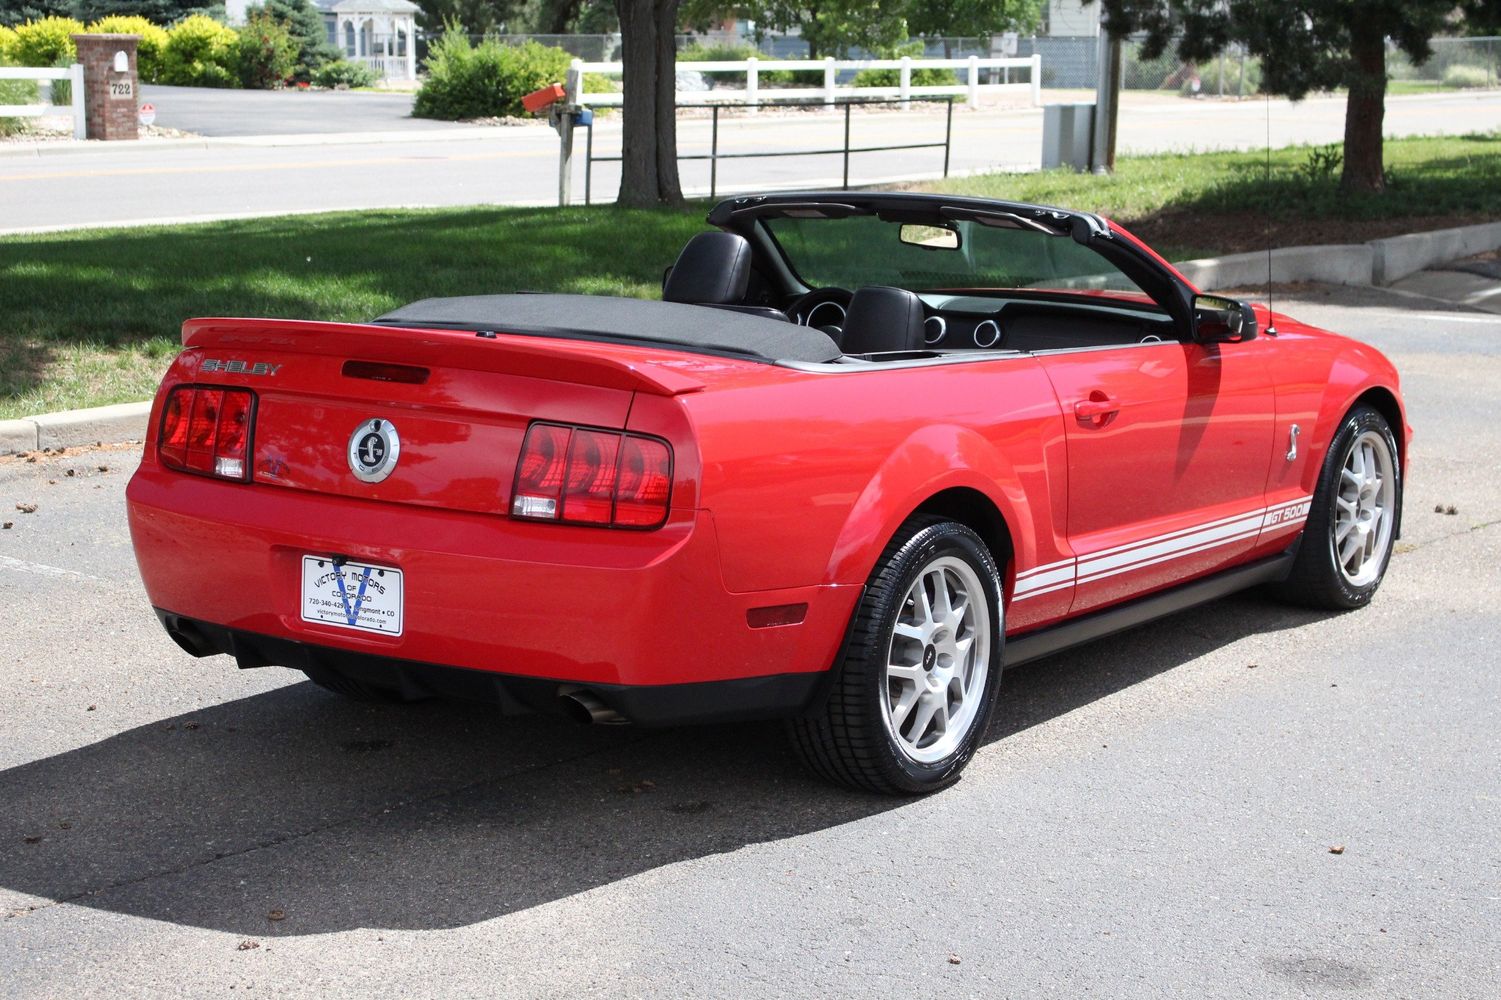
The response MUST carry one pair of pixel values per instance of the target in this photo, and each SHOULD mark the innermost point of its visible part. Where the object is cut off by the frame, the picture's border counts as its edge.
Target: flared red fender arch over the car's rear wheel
(931, 460)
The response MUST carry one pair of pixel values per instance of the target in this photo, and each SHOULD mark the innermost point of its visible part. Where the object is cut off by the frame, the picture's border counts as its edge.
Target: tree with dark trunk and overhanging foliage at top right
(1304, 46)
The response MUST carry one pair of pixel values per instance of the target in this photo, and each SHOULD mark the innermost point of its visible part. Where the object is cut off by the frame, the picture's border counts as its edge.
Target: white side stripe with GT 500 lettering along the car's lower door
(1161, 549)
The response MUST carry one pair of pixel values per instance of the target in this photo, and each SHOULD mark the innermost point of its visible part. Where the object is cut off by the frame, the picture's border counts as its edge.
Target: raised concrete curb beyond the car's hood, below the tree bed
(1376, 264)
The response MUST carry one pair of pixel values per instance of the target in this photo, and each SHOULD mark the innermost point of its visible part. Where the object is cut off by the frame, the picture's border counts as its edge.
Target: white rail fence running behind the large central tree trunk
(753, 94)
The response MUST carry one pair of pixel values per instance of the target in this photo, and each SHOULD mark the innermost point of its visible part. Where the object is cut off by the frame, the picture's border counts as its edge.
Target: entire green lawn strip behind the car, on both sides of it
(92, 318)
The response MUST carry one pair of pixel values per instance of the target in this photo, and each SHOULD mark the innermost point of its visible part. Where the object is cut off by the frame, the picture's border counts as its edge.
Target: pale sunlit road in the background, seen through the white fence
(519, 164)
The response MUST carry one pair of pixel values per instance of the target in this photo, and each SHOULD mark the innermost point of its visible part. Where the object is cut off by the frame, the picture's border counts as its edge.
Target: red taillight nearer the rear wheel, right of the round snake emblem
(579, 475)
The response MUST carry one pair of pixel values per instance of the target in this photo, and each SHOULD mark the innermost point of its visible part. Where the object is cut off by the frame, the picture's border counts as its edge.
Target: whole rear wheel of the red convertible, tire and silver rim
(913, 696)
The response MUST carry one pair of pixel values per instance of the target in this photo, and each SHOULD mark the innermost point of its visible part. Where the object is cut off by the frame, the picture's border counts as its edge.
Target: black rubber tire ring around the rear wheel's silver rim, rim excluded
(883, 606)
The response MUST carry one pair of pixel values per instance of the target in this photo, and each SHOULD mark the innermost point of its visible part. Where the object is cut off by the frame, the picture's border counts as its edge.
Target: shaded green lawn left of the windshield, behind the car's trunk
(94, 318)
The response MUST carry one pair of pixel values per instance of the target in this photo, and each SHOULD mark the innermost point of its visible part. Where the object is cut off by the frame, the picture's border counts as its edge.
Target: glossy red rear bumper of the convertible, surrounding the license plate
(484, 594)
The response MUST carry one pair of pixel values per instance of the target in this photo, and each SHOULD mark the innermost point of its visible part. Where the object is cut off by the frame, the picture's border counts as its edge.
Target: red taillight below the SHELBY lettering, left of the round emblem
(208, 432)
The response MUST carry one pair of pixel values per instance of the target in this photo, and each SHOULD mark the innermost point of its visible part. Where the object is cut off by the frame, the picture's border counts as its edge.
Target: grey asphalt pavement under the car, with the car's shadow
(1152, 819)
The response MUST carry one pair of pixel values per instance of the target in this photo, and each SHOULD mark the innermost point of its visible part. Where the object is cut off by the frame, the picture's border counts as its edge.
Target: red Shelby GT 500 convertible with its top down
(868, 451)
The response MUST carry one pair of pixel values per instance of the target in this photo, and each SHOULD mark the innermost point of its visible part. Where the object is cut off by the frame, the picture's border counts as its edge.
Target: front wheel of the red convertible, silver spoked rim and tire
(1353, 520)
